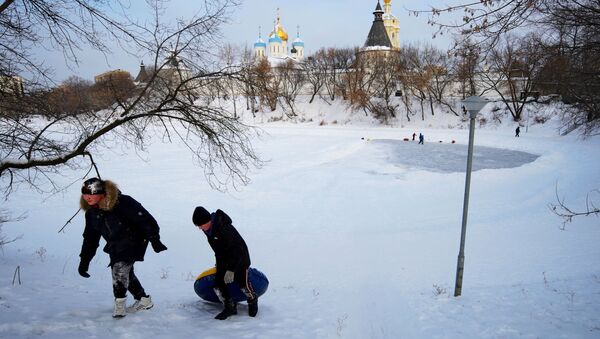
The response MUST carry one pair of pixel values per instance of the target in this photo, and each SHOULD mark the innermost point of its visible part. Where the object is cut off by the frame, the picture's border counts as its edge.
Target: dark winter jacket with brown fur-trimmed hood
(124, 224)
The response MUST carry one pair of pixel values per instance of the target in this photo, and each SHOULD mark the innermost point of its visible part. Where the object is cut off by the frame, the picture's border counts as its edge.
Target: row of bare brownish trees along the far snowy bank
(517, 69)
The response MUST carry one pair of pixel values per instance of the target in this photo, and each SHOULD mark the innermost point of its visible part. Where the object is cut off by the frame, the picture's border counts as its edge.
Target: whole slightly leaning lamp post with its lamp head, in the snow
(473, 105)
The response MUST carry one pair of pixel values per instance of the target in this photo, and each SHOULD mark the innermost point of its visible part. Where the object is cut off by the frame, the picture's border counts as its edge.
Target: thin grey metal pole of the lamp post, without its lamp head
(461, 254)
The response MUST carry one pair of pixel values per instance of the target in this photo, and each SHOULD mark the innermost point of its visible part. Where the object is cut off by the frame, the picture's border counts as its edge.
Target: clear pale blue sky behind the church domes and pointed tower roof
(323, 23)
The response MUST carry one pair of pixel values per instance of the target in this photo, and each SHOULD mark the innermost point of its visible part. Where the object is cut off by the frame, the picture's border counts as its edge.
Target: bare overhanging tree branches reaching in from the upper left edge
(39, 139)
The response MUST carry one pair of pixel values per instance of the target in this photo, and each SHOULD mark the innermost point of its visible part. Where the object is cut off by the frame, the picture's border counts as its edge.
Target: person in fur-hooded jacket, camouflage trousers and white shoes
(127, 228)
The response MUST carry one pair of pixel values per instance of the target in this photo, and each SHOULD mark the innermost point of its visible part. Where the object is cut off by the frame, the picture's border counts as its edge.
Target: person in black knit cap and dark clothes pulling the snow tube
(232, 259)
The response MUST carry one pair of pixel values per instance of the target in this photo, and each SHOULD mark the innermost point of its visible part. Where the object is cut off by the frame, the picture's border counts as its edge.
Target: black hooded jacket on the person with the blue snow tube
(231, 252)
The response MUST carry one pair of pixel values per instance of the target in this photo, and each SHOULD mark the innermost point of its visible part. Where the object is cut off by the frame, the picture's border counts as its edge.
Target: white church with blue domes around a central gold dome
(277, 49)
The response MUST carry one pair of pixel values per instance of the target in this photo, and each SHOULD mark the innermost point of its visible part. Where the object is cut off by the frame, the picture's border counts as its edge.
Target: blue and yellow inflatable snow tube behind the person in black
(205, 283)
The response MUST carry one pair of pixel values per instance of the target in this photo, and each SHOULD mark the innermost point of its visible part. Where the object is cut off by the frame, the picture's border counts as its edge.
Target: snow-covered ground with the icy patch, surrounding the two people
(357, 231)
